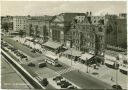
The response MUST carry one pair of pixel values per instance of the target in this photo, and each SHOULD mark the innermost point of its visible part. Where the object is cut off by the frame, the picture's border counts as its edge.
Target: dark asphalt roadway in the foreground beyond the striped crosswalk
(85, 81)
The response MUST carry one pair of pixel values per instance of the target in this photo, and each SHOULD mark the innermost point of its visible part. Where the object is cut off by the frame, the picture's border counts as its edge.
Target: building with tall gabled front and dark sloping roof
(60, 25)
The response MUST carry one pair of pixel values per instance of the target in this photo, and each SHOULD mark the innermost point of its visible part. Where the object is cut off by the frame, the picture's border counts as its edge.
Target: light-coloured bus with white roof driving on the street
(51, 59)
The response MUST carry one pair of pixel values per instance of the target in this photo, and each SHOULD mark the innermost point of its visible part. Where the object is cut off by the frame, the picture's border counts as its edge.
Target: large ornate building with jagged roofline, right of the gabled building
(87, 34)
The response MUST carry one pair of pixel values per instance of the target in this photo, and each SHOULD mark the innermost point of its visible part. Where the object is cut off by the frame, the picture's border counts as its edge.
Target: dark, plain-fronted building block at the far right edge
(116, 31)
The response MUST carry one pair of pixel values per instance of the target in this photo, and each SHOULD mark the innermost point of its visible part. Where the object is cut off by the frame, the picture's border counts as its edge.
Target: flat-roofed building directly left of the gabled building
(38, 26)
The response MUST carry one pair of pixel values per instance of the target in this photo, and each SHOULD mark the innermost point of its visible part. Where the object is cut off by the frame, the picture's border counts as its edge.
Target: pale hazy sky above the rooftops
(39, 8)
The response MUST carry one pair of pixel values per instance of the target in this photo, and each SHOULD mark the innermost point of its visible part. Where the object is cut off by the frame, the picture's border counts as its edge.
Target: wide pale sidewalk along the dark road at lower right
(103, 73)
